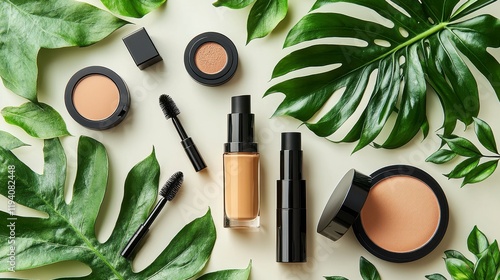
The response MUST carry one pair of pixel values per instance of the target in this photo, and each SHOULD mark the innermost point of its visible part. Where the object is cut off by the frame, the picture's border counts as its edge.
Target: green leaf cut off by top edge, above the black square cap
(132, 8)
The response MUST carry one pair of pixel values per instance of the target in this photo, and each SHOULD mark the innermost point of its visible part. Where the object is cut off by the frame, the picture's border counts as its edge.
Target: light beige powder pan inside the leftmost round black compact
(96, 97)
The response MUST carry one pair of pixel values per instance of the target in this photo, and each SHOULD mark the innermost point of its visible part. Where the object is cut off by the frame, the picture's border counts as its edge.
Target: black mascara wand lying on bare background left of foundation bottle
(171, 111)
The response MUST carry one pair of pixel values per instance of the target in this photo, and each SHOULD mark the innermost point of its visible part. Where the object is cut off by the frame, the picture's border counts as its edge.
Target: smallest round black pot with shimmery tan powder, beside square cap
(211, 58)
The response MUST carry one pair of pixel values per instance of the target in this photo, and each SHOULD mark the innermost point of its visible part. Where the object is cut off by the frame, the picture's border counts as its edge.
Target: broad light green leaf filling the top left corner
(31, 25)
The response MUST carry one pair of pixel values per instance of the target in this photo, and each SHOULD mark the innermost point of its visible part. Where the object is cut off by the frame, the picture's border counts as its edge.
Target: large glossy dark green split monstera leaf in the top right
(427, 44)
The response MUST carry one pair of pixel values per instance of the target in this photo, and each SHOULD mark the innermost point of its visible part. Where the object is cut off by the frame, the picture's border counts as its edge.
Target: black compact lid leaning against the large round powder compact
(344, 205)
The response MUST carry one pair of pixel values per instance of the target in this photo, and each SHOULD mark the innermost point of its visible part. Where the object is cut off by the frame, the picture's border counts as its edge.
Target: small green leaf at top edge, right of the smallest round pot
(264, 17)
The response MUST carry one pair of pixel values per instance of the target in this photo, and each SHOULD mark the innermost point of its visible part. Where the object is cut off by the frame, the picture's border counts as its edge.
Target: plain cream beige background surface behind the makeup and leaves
(203, 114)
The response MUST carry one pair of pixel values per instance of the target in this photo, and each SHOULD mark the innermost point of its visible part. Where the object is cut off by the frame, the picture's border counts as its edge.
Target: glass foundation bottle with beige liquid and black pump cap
(241, 168)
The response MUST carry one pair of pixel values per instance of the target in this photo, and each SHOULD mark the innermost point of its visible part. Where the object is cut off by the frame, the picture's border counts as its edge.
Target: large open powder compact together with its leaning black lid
(399, 213)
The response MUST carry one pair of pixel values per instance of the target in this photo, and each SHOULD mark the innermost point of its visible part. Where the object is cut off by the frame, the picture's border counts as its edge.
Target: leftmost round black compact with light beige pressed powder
(97, 98)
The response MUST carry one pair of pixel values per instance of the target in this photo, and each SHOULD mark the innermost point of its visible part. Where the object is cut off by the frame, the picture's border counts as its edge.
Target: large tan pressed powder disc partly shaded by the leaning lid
(401, 214)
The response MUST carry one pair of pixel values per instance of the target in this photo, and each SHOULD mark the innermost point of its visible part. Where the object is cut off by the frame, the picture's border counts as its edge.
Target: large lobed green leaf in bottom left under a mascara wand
(74, 223)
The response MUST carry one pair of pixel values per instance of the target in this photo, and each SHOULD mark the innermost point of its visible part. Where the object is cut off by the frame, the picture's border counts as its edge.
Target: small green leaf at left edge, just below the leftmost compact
(37, 119)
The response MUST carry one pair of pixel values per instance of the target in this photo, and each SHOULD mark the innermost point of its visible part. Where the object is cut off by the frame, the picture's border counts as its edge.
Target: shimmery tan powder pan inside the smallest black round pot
(211, 58)
